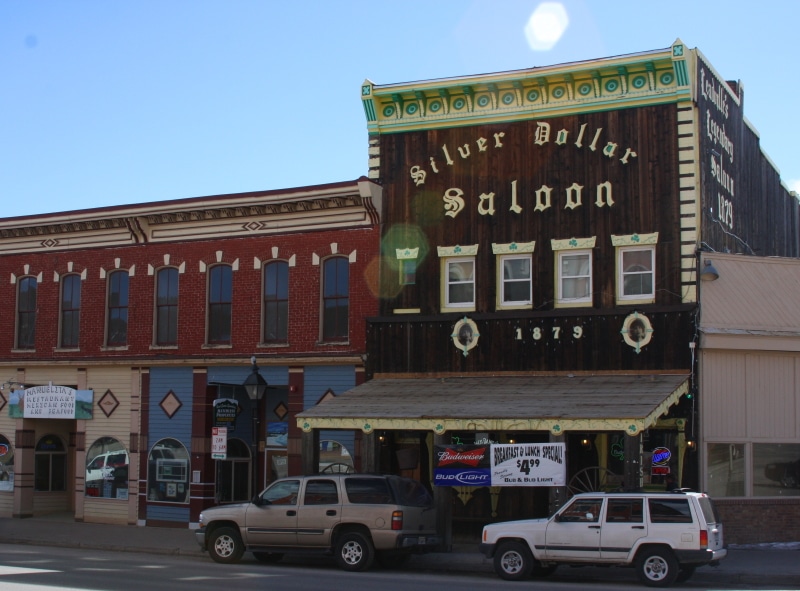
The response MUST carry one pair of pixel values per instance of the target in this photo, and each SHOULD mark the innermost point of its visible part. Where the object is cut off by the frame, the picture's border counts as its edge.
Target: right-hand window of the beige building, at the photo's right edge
(776, 469)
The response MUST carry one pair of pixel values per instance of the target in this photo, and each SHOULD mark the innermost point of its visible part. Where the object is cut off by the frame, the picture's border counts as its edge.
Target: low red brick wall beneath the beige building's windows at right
(754, 521)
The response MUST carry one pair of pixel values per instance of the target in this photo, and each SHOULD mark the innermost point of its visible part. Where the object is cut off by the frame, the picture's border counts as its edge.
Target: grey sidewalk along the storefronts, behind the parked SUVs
(774, 565)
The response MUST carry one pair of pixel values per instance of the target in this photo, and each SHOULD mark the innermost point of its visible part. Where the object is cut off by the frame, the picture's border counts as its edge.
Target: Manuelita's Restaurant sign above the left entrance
(51, 402)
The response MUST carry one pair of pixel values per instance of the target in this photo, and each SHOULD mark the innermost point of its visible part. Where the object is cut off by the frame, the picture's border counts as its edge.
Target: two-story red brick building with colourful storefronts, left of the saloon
(128, 333)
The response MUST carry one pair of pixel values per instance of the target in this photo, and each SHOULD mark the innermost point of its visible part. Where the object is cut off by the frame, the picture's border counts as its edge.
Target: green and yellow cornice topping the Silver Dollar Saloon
(650, 78)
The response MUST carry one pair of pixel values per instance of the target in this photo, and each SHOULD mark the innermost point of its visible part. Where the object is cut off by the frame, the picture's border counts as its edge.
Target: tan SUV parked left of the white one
(357, 517)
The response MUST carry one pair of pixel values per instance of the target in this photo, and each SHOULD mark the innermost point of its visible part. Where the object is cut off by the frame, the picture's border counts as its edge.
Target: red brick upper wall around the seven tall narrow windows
(304, 295)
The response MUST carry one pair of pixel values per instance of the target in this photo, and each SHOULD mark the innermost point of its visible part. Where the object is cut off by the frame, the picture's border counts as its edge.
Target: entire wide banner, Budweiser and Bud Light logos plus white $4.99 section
(521, 464)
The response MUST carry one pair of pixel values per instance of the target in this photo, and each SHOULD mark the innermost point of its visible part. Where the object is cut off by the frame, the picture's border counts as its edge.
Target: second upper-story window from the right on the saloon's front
(573, 271)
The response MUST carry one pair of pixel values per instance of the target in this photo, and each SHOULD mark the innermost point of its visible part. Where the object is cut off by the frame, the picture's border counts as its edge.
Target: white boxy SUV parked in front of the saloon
(665, 536)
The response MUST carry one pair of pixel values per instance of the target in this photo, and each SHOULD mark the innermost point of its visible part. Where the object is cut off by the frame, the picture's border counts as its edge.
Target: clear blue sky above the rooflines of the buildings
(109, 102)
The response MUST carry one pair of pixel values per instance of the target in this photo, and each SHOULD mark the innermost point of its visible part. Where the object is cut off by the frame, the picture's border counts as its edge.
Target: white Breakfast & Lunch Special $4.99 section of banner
(528, 464)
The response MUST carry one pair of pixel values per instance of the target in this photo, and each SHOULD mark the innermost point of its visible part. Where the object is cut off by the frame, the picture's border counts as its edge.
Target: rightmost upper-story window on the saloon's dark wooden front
(636, 255)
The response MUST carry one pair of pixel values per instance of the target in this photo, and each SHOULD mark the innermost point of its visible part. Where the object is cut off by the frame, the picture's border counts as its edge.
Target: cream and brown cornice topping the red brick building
(340, 205)
